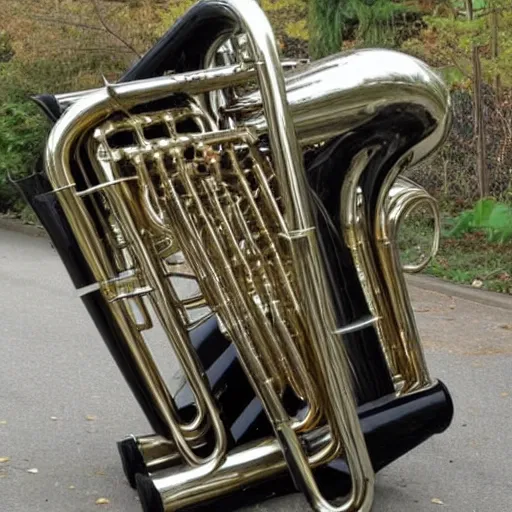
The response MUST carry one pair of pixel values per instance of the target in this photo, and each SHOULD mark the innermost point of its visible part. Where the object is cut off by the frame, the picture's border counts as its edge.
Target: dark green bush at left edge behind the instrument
(22, 135)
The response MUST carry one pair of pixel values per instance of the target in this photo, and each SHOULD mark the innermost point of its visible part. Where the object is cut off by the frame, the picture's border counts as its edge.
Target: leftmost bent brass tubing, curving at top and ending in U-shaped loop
(119, 281)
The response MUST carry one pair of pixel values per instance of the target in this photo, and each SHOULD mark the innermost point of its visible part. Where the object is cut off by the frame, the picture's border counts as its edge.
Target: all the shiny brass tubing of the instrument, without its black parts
(147, 193)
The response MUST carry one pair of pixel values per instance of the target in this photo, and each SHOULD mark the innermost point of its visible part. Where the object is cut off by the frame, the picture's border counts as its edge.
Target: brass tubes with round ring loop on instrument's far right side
(400, 340)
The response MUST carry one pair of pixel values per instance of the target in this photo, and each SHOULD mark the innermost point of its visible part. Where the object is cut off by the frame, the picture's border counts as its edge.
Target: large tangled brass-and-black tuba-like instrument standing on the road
(245, 209)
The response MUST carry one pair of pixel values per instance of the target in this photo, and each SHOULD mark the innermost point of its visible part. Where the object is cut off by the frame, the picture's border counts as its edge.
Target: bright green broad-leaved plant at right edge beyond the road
(489, 216)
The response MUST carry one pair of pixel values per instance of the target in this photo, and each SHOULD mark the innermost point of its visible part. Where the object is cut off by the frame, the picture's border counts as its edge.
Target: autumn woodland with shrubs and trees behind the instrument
(64, 45)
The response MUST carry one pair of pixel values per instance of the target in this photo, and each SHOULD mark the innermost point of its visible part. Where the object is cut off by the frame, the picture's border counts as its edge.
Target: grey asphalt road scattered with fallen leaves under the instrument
(63, 403)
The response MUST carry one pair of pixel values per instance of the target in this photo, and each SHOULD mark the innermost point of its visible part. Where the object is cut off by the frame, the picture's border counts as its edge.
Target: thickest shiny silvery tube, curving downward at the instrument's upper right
(337, 94)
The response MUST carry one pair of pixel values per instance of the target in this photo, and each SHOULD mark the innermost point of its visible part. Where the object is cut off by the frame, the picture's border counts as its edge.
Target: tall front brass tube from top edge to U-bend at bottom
(311, 277)
